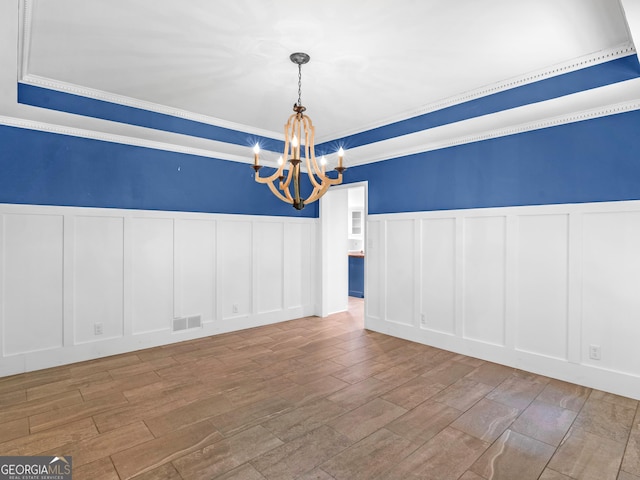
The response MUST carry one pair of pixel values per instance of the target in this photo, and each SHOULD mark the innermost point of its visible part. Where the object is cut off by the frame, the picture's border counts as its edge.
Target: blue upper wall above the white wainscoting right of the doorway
(590, 161)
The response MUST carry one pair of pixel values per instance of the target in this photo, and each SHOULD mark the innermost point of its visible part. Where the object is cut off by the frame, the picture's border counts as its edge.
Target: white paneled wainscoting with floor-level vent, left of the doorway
(69, 272)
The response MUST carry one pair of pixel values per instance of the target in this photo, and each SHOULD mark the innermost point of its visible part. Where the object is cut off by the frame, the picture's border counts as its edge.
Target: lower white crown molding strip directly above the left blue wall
(121, 139)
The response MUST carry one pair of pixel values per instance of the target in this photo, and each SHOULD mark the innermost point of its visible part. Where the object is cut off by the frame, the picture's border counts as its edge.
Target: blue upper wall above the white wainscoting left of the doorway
(51, 169)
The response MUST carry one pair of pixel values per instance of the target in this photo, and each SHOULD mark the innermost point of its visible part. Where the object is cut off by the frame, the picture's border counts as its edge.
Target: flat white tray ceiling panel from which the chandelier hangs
(372, 61)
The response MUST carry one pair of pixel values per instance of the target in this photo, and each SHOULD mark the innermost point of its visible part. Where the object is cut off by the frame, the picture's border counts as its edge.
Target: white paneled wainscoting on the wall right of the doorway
(531, 287)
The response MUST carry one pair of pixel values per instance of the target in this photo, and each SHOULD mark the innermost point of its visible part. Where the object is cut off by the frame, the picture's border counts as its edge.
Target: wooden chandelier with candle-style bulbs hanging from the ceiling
(299, 147)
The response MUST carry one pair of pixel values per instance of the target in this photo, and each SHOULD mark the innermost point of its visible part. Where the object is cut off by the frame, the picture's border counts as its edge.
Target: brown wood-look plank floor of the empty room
(316, 399)
